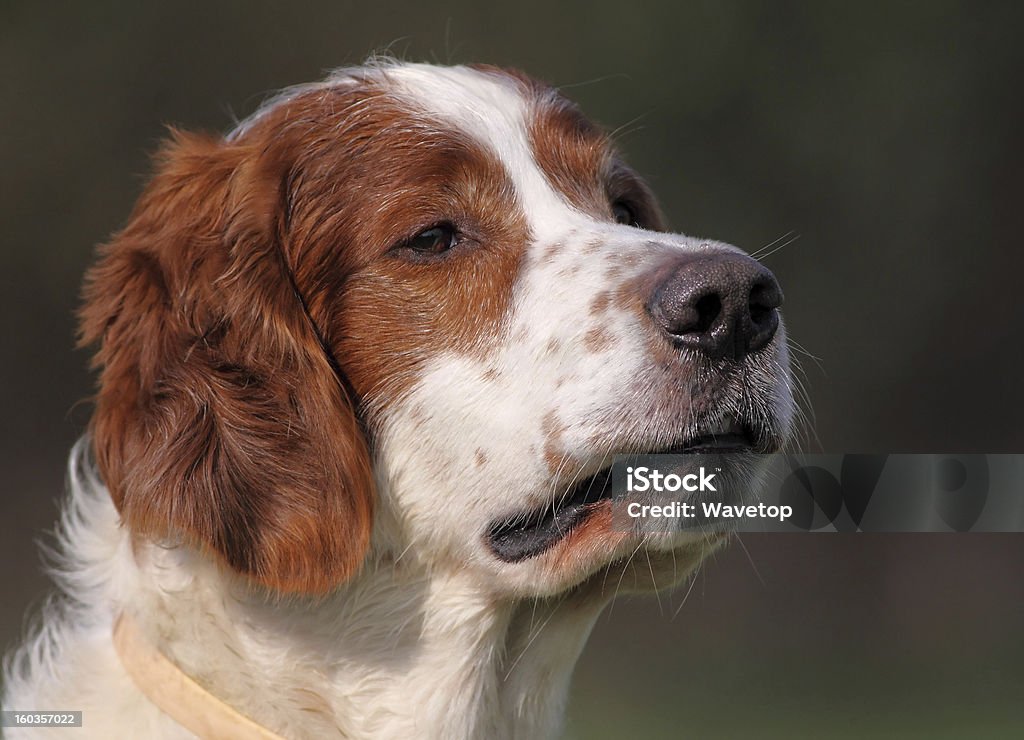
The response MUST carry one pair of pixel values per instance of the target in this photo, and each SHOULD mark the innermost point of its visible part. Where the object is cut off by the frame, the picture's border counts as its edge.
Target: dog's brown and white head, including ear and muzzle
(415, 310)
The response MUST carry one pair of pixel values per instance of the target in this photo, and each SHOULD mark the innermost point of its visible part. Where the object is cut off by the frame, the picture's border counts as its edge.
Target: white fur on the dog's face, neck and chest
(435, 637)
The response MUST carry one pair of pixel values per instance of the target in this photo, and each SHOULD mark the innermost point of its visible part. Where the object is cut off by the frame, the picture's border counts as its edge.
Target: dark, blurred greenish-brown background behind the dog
(889, 138)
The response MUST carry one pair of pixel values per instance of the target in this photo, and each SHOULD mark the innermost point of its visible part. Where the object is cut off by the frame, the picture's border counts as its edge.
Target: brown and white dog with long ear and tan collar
(361, 362)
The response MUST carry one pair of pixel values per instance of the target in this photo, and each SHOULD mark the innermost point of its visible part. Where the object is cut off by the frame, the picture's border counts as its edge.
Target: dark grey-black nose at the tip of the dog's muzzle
(721, 303)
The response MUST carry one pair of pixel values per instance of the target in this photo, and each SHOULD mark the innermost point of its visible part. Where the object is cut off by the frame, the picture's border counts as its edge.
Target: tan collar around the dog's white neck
(179, 695)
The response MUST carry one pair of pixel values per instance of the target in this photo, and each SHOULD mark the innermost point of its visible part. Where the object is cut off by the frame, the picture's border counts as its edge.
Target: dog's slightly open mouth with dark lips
(533, 533)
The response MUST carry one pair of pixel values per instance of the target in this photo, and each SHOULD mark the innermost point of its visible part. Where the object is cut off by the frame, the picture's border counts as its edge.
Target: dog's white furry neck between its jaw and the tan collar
(401, 651)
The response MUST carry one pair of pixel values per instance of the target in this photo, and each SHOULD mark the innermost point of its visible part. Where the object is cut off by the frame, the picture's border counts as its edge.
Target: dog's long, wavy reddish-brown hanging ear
(221, 418)
